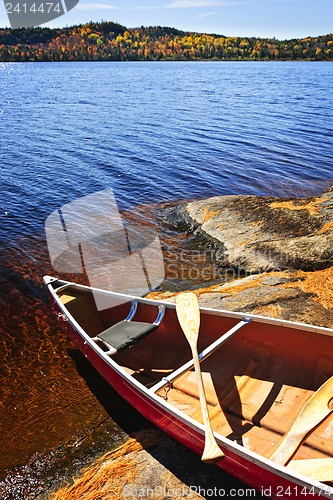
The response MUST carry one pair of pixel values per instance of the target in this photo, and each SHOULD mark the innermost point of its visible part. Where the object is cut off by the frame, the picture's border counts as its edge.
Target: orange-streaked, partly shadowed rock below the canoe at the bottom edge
(150, 465)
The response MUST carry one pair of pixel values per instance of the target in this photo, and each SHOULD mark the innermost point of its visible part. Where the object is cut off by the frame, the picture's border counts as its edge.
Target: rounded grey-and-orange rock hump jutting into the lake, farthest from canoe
(258, 233)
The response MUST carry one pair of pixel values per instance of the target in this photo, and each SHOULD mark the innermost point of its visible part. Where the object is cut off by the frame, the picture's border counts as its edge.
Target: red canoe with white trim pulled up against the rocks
(267, 382)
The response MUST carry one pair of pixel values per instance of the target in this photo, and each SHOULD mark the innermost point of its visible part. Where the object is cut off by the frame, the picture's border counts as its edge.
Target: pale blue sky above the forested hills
(266, 18)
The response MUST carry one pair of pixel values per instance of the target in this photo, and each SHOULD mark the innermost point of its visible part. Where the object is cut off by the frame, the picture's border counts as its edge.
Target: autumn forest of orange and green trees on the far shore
(108, 41)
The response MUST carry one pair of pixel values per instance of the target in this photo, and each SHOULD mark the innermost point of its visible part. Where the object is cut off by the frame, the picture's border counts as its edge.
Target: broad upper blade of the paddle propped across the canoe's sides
(188, 314)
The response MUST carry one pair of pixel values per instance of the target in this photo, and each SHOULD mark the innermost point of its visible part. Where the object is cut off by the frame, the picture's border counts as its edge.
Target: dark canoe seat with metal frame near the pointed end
(126, 333)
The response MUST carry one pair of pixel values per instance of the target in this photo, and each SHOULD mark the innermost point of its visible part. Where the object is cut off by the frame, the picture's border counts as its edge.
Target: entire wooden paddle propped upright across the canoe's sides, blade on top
(189, 318)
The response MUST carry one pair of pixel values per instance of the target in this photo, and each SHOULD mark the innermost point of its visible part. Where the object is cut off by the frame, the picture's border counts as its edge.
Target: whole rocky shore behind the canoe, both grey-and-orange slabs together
(282, 247)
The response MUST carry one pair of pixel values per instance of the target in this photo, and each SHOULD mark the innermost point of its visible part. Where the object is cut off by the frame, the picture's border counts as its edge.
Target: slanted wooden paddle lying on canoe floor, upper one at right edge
(318, 407)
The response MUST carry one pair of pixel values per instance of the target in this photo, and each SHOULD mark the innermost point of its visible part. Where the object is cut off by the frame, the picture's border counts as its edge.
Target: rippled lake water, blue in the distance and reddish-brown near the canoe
(156, 133)
